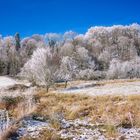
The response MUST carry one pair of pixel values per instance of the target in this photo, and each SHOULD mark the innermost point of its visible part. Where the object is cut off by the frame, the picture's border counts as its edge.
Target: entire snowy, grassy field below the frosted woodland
(85, 110)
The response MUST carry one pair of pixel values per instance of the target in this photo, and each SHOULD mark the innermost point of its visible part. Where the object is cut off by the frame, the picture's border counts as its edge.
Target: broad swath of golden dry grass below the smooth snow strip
(108, 112)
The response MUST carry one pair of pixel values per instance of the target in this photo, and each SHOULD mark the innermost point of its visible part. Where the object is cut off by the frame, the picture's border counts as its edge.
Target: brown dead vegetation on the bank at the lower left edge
(18, 108)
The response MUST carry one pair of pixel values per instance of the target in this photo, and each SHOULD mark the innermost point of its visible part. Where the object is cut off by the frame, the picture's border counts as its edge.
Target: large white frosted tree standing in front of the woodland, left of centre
(41, 68)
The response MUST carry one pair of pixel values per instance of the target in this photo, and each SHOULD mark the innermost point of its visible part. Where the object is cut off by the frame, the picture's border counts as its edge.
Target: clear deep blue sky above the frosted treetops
(43, 16)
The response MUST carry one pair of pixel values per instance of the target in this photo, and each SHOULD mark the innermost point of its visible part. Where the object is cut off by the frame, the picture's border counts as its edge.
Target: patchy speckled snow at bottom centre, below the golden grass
(80, 130)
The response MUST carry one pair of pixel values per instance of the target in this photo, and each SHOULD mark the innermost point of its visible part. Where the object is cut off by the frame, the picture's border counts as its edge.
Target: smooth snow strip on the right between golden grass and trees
(118, 88)
